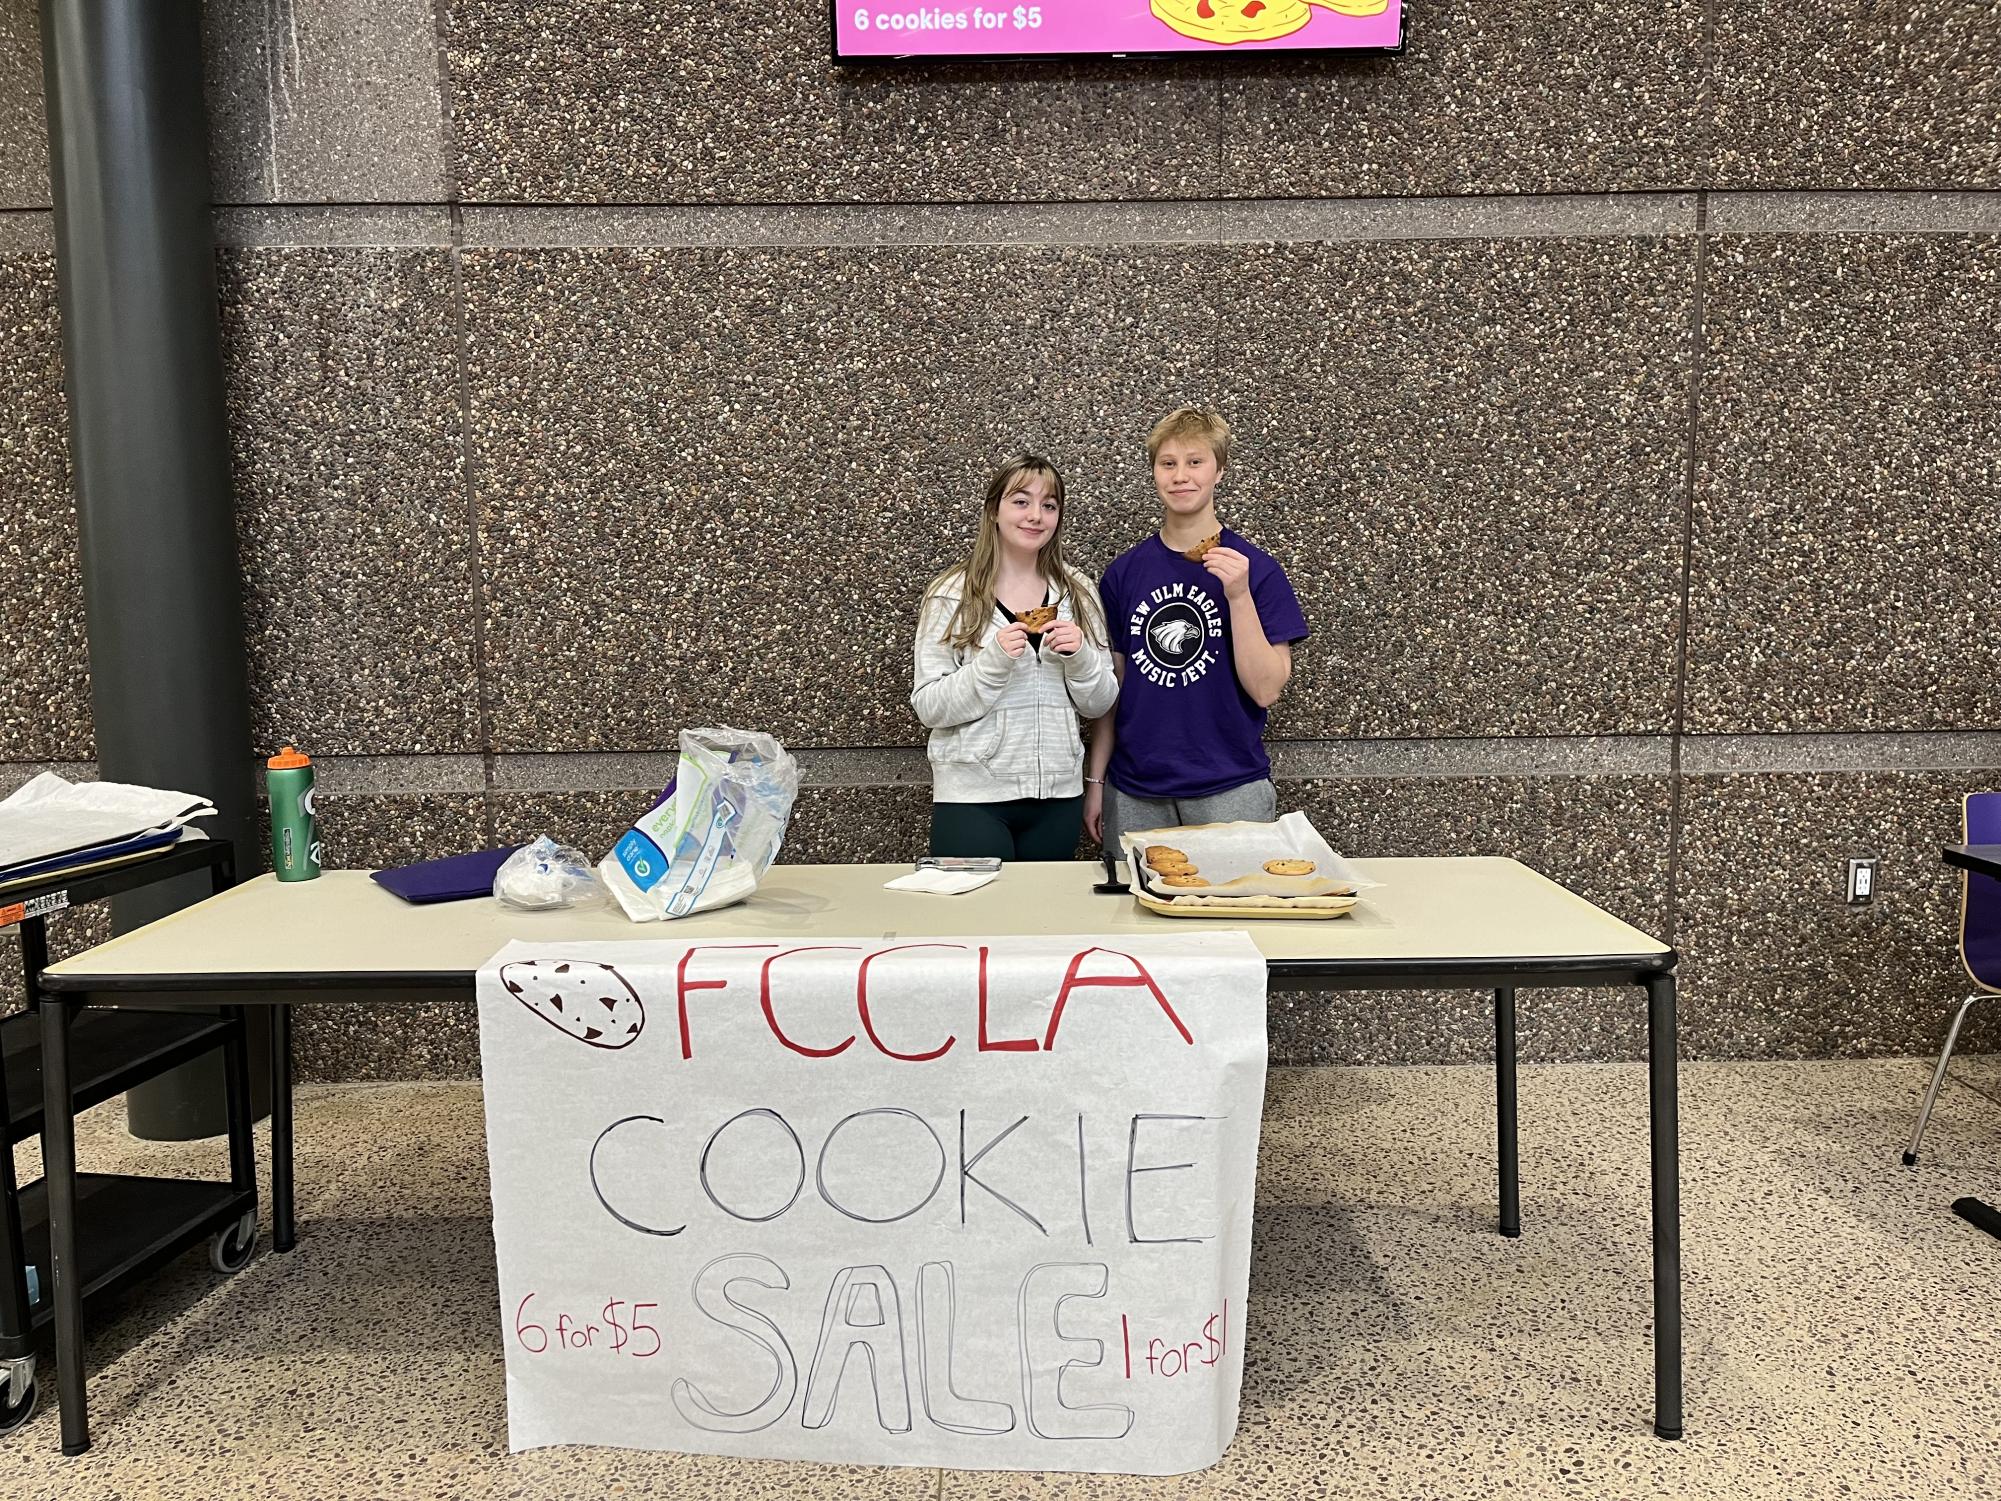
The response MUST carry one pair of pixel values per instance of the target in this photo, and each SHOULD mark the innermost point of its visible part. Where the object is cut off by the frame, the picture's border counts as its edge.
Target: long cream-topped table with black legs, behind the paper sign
(1468, 922)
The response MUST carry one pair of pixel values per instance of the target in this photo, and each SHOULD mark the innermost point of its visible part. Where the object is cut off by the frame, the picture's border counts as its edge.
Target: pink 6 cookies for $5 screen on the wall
(925, 29)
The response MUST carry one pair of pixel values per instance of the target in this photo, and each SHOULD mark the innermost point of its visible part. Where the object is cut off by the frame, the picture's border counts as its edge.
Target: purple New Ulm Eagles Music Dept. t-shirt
(1186, 723)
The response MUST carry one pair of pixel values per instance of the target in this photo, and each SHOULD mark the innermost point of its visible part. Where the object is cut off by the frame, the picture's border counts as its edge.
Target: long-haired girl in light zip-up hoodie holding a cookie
(1010, 653)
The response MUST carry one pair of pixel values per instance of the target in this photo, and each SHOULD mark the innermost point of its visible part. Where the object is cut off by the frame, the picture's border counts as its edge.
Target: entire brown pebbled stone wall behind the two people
(1618, 381)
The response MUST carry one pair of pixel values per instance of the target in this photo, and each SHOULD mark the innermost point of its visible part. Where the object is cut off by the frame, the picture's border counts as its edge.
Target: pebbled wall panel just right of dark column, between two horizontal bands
(357, 543)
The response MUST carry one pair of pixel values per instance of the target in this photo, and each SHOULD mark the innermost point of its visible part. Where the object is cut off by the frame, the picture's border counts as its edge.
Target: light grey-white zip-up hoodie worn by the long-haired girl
(1006, 727)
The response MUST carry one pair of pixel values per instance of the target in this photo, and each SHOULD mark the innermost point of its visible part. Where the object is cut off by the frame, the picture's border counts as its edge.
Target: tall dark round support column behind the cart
(149, 439)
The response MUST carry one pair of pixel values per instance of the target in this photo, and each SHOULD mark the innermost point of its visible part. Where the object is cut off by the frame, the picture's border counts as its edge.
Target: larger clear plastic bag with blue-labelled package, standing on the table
(713, 834)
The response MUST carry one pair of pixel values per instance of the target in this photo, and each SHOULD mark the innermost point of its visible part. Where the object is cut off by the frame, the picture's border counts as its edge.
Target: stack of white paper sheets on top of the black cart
(55, 828)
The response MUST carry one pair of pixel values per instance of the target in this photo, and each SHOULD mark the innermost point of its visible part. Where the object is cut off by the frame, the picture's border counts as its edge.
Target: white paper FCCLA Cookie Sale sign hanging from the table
(965, 1202)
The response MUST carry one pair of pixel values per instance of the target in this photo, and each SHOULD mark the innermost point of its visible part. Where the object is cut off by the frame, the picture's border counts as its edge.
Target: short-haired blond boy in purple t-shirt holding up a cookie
(1204, 647)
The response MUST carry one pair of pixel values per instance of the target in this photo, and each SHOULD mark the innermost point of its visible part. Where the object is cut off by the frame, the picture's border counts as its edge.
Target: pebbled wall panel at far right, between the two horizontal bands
(1846, 509)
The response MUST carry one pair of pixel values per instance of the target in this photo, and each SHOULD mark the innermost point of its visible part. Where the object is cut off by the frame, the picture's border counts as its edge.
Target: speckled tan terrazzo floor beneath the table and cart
(1842, 1326)
